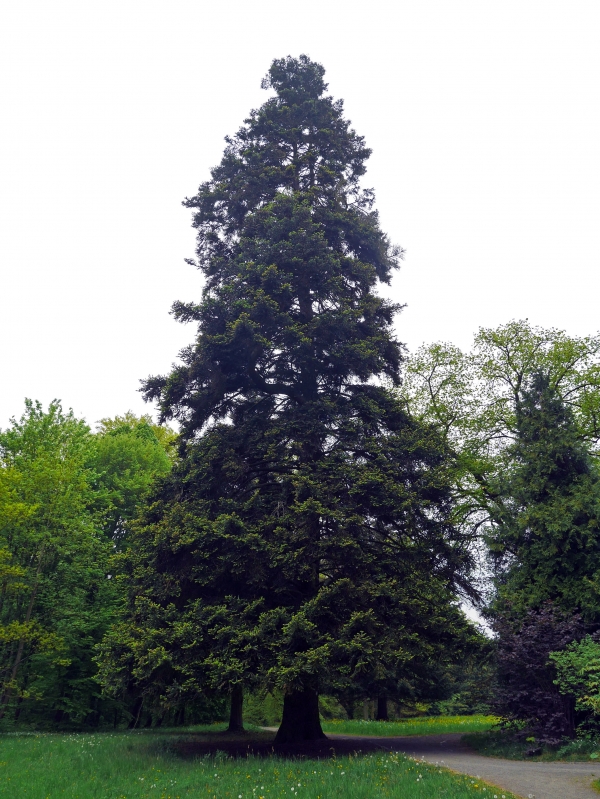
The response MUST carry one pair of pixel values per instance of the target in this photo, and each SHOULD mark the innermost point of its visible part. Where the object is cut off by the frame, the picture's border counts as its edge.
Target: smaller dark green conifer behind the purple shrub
(547, 546)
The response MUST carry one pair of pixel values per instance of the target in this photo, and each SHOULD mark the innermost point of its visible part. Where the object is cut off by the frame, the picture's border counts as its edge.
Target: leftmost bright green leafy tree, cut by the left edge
(56, 598)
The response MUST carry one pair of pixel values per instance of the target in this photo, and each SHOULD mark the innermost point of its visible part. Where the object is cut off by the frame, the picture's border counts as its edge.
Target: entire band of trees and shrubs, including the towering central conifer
(328, 504)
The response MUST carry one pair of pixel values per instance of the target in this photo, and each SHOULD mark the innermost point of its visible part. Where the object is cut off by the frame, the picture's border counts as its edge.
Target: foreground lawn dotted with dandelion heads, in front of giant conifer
(141, 766)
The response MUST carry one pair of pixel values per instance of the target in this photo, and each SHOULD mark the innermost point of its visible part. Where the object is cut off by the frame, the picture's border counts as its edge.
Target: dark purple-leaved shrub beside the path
(526, 692)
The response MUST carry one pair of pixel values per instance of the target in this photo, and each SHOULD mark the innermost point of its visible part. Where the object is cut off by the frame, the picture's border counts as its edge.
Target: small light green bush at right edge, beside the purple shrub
(578, 673)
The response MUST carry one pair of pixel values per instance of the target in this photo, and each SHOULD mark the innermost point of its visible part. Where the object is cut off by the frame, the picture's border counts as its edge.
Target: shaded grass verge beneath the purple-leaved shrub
(501, 743)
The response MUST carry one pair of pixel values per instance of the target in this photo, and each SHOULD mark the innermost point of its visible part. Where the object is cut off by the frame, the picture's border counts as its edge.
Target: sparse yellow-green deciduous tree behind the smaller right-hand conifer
(475, 399)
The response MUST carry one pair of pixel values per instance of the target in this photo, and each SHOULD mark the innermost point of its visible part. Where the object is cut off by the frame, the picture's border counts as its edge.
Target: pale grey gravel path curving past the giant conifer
(524, 778)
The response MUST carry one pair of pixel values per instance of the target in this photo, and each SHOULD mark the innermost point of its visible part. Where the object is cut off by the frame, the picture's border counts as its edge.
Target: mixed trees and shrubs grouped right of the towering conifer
(520, 414)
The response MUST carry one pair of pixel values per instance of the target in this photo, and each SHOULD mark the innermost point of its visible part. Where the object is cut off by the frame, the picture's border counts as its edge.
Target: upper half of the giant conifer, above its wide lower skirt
(291, 251)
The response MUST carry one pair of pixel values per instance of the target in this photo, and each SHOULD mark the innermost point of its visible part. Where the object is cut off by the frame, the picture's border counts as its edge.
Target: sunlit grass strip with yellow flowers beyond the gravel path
(428, 725)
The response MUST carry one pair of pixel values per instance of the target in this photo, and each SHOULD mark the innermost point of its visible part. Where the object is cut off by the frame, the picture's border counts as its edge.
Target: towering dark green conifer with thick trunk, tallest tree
(302, 543)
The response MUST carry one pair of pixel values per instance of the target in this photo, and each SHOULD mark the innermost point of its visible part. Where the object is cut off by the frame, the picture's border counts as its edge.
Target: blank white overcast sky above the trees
(484, 119)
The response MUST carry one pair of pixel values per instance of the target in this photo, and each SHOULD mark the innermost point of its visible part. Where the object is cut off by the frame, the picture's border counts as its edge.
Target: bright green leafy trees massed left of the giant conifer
(64, 492)
